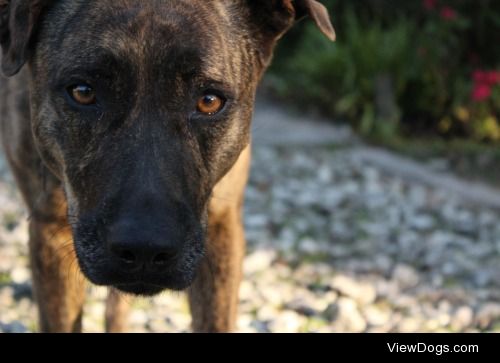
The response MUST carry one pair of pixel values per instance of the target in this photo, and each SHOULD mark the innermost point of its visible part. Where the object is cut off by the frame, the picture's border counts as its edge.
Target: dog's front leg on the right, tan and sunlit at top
(215, 292)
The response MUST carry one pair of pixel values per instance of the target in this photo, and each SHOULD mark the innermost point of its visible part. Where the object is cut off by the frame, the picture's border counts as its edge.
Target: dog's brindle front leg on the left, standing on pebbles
(59, 286)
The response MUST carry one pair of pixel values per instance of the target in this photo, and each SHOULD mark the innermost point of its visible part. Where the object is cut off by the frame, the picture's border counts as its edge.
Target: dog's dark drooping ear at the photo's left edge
(18, 24)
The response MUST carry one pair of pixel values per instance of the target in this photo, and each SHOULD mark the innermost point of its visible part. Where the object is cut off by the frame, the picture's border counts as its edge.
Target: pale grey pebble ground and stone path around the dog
(342, 238)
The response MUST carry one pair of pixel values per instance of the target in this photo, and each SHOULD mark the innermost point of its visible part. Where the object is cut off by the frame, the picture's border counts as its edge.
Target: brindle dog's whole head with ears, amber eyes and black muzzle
(140, 108)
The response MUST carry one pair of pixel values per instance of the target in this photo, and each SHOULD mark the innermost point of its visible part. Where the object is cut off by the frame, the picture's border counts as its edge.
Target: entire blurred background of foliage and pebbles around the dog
(374, 200)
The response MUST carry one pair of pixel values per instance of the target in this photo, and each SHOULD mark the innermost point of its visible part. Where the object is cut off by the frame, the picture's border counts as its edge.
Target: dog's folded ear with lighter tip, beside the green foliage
(274, 17)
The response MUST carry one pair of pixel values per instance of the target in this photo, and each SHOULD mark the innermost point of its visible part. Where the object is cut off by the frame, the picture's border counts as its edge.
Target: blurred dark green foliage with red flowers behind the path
(400, 68)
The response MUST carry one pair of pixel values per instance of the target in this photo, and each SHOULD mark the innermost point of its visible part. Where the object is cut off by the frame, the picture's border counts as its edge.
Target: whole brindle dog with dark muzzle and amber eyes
(128, 133)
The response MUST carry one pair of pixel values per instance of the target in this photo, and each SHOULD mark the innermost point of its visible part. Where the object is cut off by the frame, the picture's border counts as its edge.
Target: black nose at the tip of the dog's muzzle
(142, 255)
